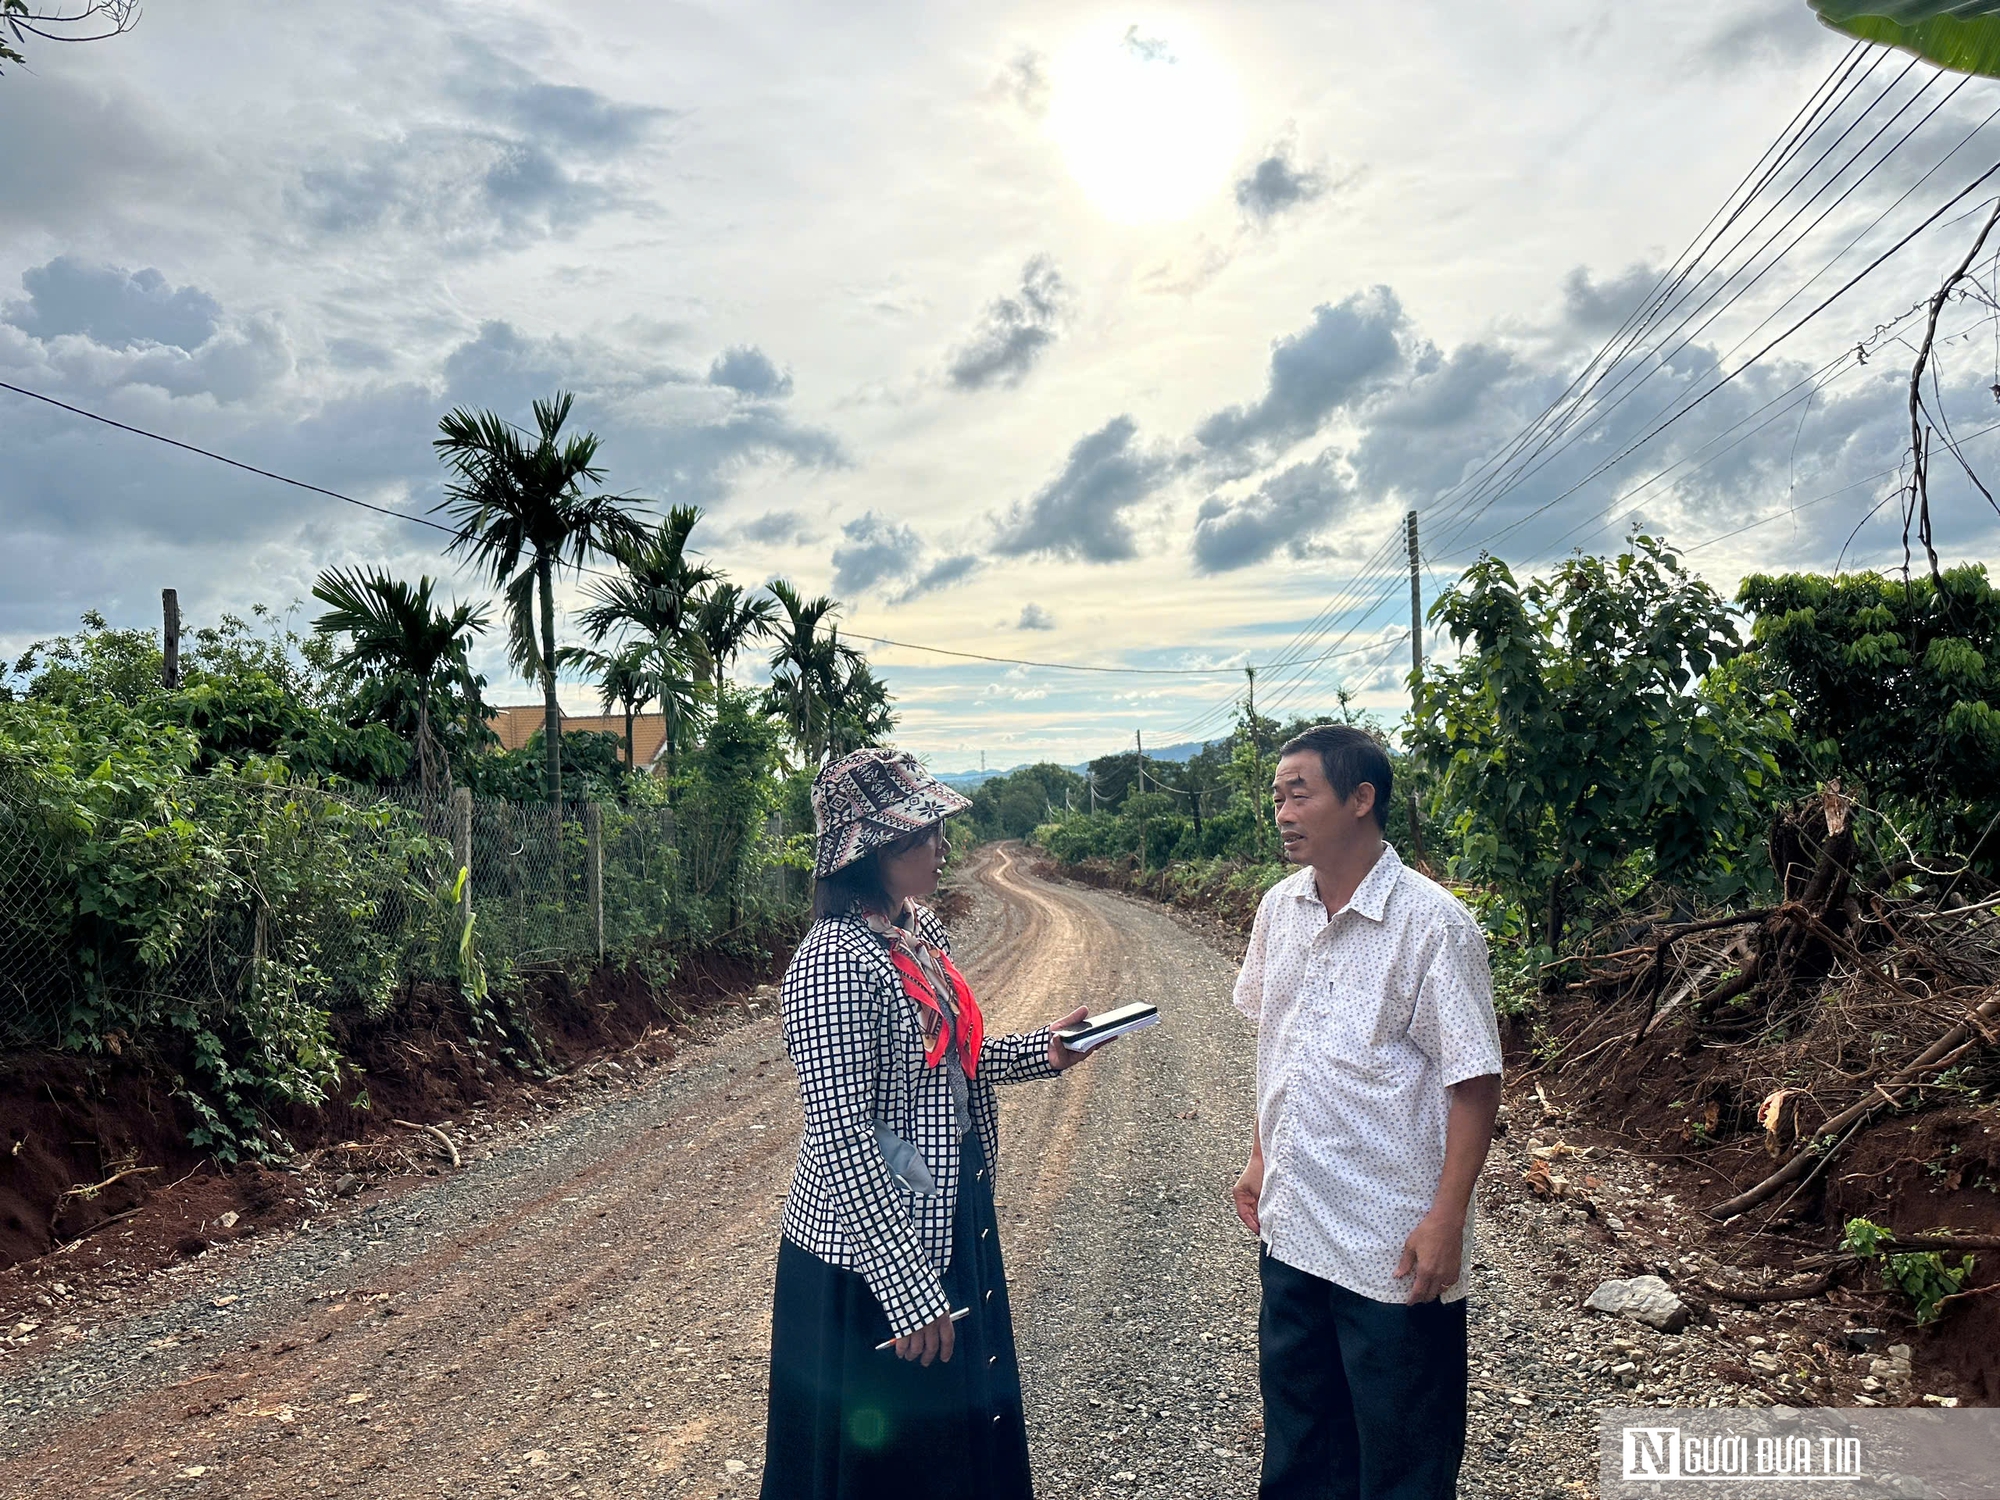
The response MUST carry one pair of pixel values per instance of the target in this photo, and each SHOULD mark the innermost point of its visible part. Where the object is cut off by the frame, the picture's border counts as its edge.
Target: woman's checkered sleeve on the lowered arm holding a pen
(833, 1021)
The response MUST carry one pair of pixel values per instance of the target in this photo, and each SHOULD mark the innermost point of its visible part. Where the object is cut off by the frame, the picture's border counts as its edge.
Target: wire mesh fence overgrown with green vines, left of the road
(201, 893)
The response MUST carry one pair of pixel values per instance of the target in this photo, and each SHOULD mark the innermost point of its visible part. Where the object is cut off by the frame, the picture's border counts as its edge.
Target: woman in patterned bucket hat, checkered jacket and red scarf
(891, 1229)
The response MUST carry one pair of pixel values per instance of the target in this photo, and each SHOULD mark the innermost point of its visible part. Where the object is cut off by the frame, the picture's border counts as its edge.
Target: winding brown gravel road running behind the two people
(585, 1307)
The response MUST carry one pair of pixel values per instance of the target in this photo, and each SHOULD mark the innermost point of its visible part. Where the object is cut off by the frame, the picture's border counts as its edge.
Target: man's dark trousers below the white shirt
(1363, 1401)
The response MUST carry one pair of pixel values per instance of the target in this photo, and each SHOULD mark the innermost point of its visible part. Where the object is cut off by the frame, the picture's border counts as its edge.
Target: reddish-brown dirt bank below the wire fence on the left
(87, 1143)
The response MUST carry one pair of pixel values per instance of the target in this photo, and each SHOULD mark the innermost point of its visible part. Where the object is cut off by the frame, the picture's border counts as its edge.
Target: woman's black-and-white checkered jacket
(853, 1037)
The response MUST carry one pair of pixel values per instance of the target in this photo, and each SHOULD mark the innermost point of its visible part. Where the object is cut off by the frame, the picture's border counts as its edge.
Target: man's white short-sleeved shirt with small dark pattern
(1365, 1021)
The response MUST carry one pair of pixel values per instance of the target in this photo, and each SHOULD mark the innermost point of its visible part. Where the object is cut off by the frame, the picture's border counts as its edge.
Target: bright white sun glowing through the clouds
(1147, 121)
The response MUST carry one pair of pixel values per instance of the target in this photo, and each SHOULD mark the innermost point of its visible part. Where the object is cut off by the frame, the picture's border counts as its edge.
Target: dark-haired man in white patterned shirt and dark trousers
(1379, 1079)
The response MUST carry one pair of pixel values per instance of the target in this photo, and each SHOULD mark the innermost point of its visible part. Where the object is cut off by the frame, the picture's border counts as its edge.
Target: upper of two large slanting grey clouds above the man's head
(1347, 351)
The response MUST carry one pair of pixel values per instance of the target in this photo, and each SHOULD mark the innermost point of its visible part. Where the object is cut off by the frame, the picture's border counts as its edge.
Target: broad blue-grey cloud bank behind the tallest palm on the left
(105, 519)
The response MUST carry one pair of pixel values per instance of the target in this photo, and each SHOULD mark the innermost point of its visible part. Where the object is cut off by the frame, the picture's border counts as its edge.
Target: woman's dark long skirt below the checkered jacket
(855, 1423)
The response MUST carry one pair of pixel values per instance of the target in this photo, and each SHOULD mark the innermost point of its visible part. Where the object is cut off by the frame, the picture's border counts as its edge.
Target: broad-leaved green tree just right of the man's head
(1595, 715)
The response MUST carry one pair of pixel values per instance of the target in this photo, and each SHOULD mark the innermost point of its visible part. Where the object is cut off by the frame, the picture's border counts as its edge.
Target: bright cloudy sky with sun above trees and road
(1071, 333)
